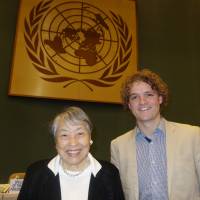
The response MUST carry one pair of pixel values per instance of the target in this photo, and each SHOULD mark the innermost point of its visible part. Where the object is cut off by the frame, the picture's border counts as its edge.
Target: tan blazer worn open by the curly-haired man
(183, 161)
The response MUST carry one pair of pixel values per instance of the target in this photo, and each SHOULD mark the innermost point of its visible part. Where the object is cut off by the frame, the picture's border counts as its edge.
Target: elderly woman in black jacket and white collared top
(74, 174)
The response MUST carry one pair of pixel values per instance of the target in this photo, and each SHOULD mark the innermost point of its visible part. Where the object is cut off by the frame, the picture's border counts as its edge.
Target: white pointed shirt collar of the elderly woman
(54, 164)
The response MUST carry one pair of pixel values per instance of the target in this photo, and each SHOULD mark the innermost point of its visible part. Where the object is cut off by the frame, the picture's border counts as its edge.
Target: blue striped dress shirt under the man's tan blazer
(152, 165)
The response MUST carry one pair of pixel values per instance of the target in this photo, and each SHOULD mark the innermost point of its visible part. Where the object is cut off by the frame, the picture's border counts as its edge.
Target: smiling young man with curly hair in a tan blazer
(158, 159)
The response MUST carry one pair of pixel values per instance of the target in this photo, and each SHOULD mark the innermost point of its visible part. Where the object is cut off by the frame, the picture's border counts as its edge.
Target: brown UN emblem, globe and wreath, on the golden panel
(75, 41)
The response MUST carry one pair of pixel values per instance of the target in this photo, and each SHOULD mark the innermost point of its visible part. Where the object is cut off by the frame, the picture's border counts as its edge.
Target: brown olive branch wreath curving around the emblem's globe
(45, 66)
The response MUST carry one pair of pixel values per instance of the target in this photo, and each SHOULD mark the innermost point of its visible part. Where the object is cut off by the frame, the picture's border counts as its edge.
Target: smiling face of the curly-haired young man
(144, 102)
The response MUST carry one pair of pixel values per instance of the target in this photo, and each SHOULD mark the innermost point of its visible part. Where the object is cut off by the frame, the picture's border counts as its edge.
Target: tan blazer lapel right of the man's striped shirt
(170, 148)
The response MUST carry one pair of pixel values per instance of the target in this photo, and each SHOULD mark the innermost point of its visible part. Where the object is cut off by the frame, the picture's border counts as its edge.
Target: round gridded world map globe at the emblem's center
(79, 37)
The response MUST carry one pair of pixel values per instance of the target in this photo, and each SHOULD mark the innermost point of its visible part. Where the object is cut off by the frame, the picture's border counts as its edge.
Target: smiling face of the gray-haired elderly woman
(72, 144)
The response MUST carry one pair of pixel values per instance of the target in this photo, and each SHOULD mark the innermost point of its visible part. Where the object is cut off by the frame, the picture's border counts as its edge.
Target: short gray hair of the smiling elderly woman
(72, 115)
